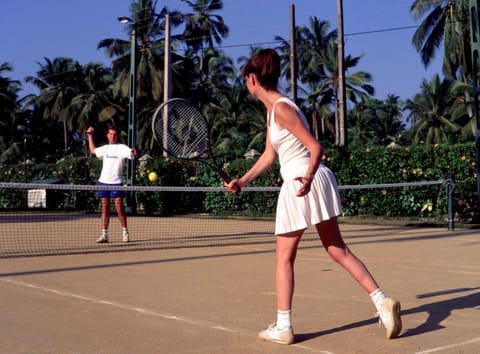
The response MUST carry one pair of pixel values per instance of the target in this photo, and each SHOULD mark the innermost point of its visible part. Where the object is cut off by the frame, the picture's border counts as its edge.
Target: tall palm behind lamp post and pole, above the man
(149, 27)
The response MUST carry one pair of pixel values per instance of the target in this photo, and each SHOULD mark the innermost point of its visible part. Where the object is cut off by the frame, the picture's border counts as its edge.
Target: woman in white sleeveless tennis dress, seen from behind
(309, 196)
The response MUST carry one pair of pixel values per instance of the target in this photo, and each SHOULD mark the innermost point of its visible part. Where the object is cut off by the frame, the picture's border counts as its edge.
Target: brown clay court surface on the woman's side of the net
(215, 299)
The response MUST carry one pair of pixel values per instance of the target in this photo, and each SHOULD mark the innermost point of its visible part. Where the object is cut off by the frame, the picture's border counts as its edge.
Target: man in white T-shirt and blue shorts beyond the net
(113, 156)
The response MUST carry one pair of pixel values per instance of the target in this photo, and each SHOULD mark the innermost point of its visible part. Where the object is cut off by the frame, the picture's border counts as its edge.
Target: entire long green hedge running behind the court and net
(367, 166)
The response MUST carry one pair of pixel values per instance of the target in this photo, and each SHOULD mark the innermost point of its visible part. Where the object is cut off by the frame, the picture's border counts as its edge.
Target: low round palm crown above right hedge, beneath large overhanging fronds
(431, 112)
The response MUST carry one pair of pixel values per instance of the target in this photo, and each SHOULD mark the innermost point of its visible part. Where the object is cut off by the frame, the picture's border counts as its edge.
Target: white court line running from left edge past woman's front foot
(195, 322)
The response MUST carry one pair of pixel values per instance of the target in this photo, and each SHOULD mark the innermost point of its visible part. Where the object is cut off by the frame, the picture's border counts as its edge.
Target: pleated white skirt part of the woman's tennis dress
(320, 204)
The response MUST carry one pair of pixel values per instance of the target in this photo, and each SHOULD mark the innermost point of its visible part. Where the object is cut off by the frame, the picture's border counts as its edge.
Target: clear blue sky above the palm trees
(31, 30)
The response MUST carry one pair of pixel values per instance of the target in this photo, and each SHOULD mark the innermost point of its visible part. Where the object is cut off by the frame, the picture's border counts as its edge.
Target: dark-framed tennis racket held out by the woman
(182, 131)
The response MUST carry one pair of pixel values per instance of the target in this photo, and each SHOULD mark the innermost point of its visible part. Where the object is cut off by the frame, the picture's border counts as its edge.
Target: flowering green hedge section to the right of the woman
(385, 165)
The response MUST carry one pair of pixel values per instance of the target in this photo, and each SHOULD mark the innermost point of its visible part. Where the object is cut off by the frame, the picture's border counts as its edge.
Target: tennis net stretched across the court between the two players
(52, 219)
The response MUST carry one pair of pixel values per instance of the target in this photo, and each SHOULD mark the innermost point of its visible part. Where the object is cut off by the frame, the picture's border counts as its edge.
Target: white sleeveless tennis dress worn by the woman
(323, 200)
